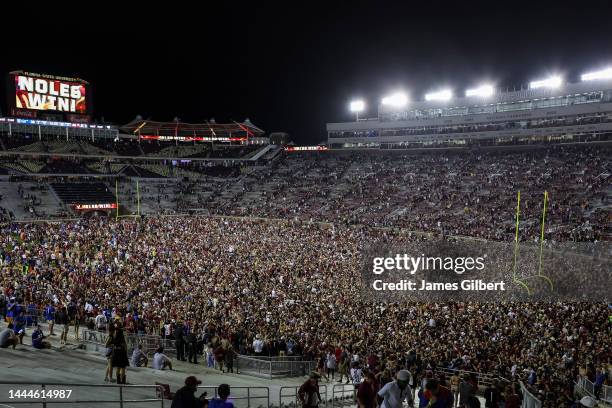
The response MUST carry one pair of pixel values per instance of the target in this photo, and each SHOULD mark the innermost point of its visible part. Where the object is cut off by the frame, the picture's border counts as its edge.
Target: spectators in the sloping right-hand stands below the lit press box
(459, 194)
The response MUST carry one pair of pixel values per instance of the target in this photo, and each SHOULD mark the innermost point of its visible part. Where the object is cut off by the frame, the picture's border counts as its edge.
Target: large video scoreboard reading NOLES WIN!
(49, 97)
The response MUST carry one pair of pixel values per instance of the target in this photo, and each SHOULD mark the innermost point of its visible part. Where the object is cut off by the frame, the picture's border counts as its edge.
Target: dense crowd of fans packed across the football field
(284, 287)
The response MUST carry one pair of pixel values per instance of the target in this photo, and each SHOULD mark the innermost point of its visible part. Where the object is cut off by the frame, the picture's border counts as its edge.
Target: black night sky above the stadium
(294, 67)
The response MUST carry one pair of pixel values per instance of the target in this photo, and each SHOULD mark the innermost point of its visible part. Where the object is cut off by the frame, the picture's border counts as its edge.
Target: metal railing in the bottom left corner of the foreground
(48, 394)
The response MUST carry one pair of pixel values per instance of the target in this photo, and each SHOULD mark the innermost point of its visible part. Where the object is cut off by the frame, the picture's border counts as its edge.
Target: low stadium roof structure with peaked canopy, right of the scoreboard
(209, 131)
